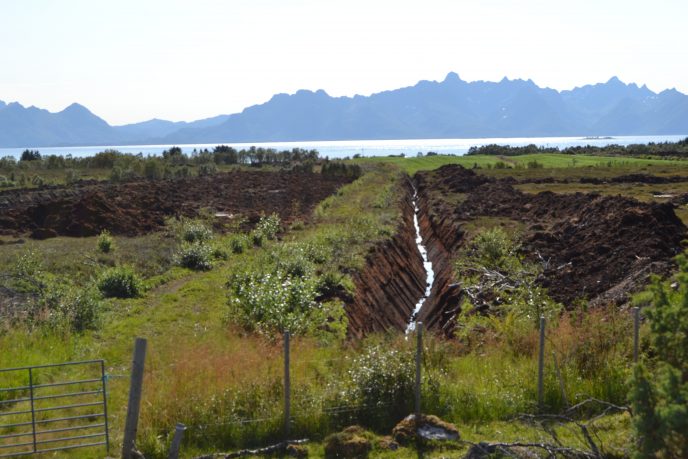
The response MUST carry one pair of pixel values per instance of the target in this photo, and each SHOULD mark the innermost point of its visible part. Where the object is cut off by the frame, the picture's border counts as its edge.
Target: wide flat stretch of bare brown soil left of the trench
(140, 207)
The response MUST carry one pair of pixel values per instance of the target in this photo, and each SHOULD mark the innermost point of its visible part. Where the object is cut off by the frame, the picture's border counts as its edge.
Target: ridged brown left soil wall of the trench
(391, 283)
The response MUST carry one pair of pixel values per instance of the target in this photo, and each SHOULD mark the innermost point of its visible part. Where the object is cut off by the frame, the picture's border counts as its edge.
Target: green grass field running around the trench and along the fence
(206, 369)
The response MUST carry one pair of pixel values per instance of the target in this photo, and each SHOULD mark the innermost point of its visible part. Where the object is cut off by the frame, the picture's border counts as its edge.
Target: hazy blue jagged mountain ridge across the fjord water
(451, 108)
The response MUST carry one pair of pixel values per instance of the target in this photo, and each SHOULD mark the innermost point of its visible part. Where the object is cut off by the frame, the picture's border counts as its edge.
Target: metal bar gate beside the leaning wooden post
(37, 416)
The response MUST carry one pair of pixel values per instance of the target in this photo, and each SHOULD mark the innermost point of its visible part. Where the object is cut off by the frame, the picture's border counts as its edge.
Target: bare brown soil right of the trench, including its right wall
(596, 247)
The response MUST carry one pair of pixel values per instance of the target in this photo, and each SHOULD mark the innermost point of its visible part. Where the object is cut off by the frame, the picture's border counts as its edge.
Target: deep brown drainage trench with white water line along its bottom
(394, 282)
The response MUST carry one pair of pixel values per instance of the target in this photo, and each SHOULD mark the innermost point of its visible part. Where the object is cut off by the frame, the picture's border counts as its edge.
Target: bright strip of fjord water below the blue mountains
(344, 148)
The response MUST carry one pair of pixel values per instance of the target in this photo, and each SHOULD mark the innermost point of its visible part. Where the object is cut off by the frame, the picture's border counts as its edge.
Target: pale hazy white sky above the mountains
(131, 60)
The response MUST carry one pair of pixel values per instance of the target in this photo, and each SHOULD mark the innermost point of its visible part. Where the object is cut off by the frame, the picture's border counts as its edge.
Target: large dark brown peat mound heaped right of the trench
(590, 243)
